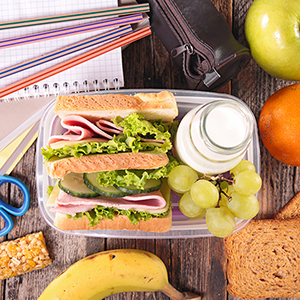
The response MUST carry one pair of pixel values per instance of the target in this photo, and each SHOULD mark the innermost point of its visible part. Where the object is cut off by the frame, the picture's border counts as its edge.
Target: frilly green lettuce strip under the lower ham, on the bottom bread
(99, 212)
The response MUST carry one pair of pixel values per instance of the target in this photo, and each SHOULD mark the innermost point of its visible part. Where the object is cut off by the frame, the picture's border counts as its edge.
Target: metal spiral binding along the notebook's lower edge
(66, 88)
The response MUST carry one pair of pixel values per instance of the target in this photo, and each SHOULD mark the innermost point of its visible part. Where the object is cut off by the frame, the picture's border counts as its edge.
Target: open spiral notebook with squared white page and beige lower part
(20, 110)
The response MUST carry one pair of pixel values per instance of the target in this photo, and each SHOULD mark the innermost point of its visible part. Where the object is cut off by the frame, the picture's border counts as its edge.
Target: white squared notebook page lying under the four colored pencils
(108, 66)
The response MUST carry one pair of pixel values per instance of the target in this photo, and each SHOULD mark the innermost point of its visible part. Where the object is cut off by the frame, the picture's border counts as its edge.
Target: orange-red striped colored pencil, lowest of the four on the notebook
(122, 41)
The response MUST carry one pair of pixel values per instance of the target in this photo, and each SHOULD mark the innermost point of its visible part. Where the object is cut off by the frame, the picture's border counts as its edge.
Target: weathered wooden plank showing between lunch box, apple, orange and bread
(254, 86)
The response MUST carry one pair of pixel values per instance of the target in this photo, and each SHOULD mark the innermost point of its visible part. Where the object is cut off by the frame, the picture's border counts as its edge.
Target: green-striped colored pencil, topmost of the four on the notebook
(121, 10)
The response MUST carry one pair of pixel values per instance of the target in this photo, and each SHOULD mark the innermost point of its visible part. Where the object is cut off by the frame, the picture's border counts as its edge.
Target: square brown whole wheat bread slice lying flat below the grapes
(264, 260)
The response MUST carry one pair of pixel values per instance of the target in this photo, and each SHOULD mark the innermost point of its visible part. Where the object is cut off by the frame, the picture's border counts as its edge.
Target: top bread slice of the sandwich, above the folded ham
(92, 107)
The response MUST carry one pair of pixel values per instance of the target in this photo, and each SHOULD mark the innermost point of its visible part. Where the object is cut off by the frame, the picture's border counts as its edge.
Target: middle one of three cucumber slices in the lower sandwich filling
(90, 179)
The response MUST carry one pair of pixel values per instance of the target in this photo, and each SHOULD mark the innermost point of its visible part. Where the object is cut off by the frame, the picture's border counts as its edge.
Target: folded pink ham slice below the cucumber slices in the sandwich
(71, 205)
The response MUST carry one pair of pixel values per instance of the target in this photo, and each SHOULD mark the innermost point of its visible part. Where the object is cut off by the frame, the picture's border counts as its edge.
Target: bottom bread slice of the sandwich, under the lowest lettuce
(120, 222)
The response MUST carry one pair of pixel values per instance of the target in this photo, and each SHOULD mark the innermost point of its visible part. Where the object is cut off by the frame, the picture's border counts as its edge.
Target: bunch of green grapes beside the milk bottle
(218, 198)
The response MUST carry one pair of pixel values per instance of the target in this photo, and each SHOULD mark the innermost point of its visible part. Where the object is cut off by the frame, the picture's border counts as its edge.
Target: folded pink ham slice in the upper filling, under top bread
(78, 128)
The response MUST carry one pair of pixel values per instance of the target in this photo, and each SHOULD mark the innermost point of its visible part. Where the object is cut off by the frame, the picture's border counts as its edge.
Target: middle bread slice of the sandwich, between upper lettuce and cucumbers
(105, 162)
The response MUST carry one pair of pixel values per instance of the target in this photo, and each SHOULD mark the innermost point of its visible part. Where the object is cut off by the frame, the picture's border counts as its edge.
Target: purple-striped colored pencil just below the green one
(57, 33)
